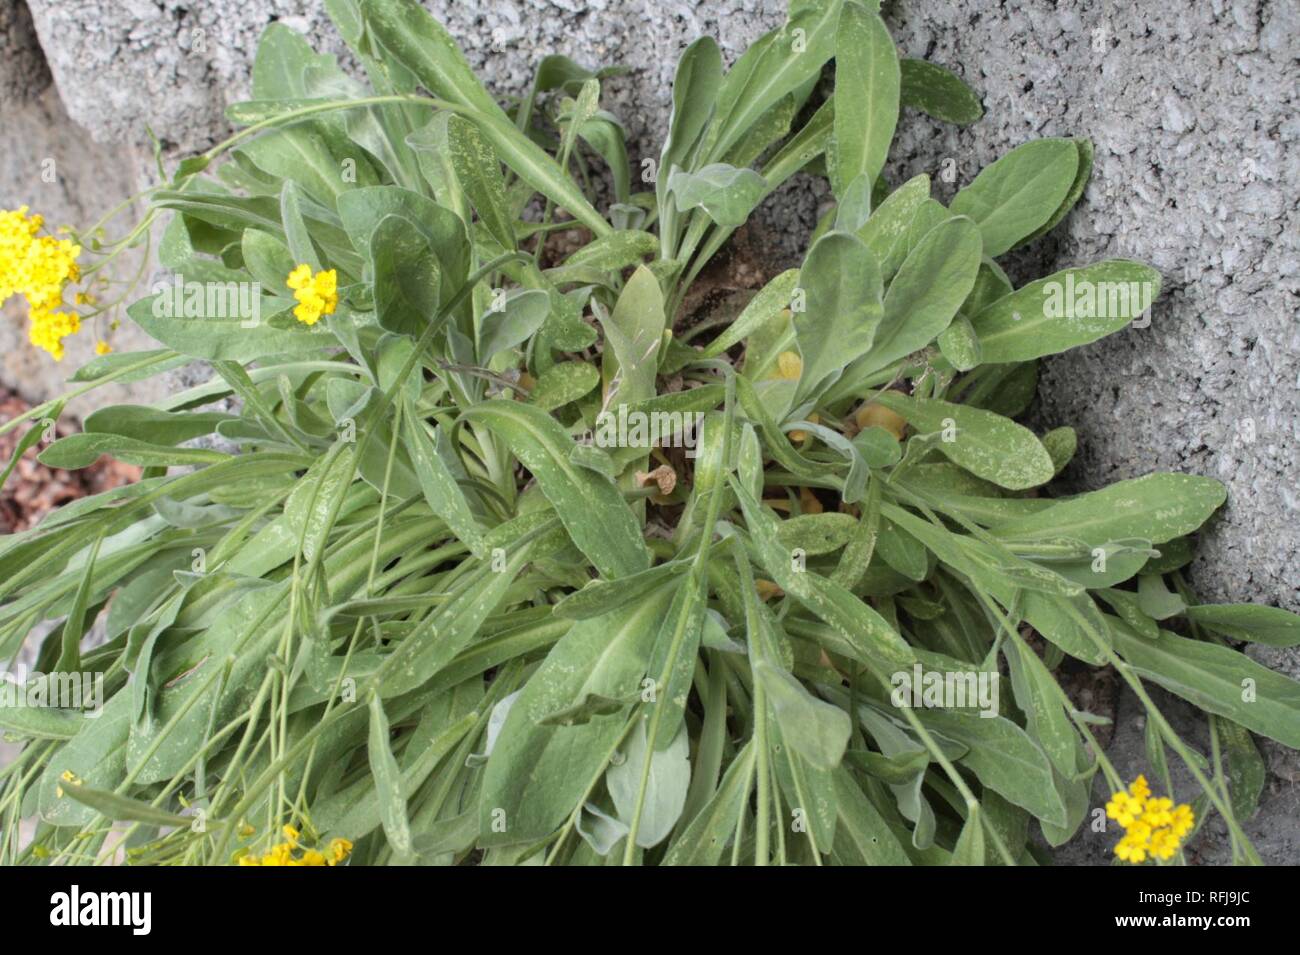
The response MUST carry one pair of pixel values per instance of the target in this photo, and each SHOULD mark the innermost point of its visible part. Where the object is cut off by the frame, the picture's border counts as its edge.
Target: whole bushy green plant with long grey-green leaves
(421, 610)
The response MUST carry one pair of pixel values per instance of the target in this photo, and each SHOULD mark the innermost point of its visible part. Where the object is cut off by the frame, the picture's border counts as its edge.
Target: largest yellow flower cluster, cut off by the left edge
(38, 267)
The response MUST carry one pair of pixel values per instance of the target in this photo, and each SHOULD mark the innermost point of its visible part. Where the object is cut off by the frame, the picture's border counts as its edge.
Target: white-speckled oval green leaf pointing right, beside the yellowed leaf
(987, 445)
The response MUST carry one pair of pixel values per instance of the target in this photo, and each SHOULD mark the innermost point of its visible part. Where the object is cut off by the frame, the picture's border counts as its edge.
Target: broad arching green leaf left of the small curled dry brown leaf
(590, 507)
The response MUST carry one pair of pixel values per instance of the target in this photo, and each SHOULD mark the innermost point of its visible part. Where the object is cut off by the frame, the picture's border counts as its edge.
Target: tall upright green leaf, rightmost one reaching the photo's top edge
(866, 103)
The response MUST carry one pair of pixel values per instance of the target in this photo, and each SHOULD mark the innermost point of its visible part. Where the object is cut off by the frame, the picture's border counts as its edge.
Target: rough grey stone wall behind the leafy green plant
(1193, 112)
